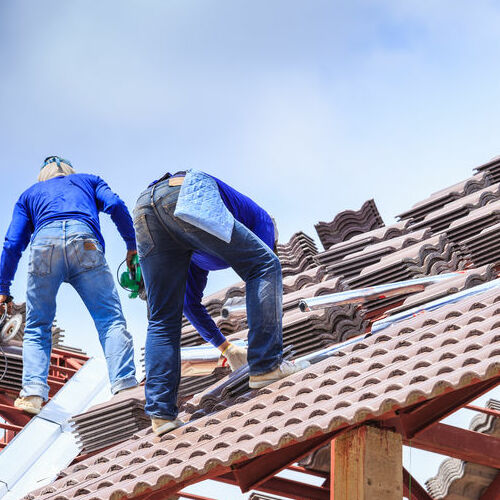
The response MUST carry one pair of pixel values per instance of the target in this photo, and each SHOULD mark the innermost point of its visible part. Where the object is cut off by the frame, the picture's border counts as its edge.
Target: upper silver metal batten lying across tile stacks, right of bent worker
(370, 293)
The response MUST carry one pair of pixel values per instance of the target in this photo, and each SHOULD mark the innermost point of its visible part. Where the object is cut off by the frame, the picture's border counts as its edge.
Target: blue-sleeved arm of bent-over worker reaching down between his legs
(195, 311)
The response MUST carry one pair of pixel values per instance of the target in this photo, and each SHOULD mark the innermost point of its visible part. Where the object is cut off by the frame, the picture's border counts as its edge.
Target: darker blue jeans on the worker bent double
(165, 245)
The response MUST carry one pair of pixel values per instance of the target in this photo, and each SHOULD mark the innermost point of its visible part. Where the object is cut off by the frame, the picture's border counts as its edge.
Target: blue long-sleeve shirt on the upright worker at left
(78, 197)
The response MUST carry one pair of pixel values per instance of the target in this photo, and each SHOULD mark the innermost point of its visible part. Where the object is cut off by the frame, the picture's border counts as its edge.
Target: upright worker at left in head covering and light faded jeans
(61, 215)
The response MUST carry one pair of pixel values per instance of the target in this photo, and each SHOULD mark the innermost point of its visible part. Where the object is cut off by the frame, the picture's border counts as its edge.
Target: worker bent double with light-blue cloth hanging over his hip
(186, 225)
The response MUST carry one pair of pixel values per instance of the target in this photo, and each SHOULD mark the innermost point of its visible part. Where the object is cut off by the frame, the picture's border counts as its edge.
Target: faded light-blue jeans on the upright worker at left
(68, 251)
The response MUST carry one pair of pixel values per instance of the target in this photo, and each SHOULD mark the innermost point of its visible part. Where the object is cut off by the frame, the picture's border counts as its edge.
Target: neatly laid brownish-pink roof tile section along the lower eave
(443, 350)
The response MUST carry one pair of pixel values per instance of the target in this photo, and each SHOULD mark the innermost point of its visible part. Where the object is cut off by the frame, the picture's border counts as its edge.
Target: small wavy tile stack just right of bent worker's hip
(298, 255)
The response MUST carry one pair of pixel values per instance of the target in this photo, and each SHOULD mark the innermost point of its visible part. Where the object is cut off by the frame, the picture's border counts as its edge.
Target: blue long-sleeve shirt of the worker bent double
(254, 218)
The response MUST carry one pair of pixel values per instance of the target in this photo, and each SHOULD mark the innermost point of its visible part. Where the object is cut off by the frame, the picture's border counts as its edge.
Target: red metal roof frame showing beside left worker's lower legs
(63, 365)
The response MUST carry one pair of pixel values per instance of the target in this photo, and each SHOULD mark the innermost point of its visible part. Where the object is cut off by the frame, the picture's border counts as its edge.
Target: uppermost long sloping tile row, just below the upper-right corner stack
(440, 198)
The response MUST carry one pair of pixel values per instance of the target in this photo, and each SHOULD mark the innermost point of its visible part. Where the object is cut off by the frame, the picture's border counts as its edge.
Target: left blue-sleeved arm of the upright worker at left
(16, 241)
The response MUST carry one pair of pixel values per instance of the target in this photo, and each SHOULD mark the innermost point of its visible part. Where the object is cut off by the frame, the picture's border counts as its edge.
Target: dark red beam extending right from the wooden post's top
(469, 446)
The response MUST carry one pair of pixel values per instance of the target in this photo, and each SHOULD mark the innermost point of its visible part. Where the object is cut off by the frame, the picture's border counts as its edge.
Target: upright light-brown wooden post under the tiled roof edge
(368, 465)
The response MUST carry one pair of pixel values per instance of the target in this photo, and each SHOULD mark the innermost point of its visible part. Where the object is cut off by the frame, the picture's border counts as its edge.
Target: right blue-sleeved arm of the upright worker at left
(110, 203)
